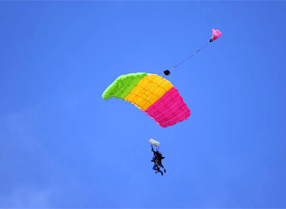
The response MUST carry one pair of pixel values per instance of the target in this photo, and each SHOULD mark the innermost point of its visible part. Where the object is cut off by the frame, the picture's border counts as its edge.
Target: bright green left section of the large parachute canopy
(123, 85)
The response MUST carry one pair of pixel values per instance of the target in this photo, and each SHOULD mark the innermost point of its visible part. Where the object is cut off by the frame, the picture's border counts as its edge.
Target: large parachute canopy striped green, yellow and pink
(154, 95)
